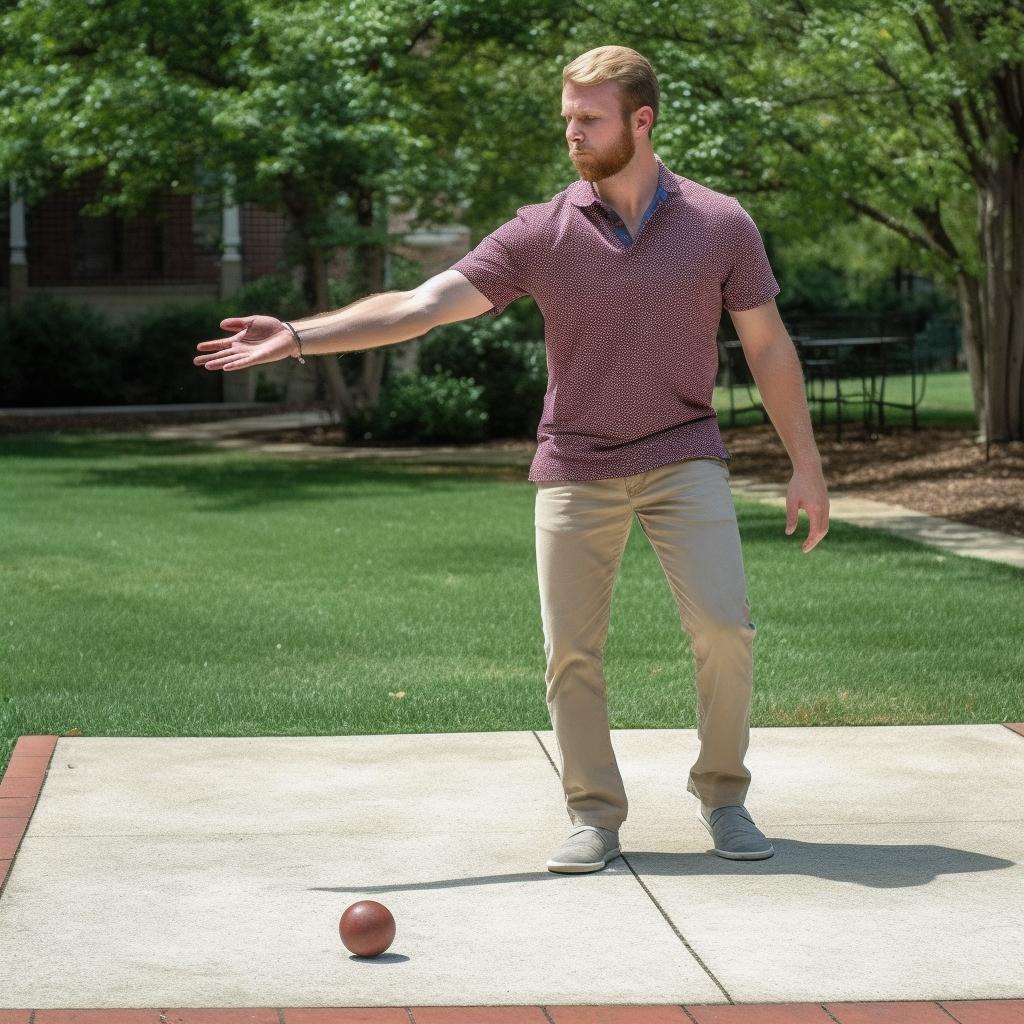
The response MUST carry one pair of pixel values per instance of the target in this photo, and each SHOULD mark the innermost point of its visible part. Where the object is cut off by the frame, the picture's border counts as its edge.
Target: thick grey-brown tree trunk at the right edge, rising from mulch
(1001, 231)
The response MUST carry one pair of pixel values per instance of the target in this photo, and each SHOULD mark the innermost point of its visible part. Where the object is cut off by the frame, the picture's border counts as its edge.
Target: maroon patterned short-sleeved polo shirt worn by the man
(630, 329)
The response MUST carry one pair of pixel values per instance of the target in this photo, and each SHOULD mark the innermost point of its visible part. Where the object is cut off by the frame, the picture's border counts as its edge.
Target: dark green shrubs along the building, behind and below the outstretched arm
(478, 379)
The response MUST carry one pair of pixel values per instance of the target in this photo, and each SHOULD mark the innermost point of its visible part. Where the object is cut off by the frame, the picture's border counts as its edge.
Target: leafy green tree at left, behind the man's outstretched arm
(328, 112)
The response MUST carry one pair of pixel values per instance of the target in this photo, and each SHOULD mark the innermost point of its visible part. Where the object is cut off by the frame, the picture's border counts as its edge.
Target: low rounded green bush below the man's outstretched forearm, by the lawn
(423, 410)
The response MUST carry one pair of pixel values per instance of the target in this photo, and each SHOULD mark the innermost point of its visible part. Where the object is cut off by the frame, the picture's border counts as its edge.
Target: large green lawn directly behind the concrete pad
(160, 588)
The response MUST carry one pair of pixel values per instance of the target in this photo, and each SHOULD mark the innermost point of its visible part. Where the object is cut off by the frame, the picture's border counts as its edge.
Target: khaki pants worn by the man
(687, 511)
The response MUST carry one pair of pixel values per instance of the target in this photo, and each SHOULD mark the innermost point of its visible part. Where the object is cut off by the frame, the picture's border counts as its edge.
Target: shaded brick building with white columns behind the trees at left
(193, 249)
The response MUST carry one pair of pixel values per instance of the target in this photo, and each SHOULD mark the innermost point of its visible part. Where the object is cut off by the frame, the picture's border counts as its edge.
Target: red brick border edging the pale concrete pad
(23, 782)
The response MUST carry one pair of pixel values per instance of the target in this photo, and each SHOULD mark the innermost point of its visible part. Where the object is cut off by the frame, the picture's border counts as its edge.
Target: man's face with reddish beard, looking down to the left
(601, 143)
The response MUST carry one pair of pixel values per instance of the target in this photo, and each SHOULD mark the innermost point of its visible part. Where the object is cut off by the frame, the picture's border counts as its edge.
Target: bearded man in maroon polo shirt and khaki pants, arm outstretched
(631, 267)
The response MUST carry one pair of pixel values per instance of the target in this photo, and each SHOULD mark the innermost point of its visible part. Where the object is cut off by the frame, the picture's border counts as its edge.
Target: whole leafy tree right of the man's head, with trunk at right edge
(907, 114)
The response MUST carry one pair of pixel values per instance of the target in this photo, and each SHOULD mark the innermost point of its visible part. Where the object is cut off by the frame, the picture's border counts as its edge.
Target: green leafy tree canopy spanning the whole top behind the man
(863, 134)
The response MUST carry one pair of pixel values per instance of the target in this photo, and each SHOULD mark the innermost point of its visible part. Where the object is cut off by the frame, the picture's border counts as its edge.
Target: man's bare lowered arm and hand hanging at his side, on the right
(776, 366)
